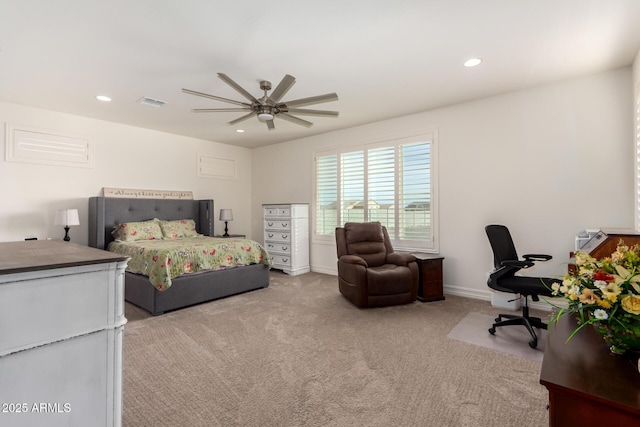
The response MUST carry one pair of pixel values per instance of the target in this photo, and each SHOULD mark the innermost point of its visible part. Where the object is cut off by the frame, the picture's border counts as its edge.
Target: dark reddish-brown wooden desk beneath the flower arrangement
(588, 385)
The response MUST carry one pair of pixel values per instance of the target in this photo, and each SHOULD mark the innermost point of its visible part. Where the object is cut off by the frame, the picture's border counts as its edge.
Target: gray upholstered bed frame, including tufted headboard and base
(107, 212)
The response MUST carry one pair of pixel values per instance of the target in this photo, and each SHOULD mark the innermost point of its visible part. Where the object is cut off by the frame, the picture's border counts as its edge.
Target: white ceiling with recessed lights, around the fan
(383, 58)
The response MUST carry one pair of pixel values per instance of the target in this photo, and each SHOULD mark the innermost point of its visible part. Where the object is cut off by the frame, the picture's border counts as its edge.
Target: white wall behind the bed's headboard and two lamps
(124, 157)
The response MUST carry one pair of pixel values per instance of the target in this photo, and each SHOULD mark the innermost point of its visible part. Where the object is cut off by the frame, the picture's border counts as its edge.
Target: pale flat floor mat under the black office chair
(512, 340)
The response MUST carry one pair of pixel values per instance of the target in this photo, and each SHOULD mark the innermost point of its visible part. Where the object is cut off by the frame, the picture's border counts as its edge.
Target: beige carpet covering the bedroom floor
(299, 354)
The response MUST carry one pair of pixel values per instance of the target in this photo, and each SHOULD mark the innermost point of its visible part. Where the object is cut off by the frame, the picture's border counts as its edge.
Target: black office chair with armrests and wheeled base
(503, 279)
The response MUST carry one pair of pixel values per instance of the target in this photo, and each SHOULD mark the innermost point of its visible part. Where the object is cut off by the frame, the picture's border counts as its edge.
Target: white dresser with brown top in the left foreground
(61, 327)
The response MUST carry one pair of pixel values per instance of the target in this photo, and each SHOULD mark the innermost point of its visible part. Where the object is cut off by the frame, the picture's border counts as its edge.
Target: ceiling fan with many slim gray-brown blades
(269, 106)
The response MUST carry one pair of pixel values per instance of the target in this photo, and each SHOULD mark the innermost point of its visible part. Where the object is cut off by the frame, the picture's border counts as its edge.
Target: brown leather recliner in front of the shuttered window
(370, 274)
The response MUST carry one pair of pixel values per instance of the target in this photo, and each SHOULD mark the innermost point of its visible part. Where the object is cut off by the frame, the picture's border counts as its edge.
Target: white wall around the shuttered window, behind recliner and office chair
(547, 162)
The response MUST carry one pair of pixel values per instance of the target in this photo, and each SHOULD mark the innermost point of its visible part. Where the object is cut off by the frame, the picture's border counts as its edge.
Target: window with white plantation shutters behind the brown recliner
(391, 182)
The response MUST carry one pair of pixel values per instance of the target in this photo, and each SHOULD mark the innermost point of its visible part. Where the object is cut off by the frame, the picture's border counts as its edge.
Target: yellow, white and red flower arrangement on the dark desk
(606, 293)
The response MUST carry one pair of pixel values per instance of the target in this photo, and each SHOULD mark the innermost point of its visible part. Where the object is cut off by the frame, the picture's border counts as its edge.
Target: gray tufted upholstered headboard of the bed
(107, 212)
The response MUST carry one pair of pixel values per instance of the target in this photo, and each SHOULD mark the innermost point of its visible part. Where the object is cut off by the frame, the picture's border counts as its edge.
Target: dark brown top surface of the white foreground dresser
(32, 255)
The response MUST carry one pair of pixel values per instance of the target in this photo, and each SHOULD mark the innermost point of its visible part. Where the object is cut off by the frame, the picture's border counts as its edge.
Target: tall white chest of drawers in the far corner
(286, 236)
